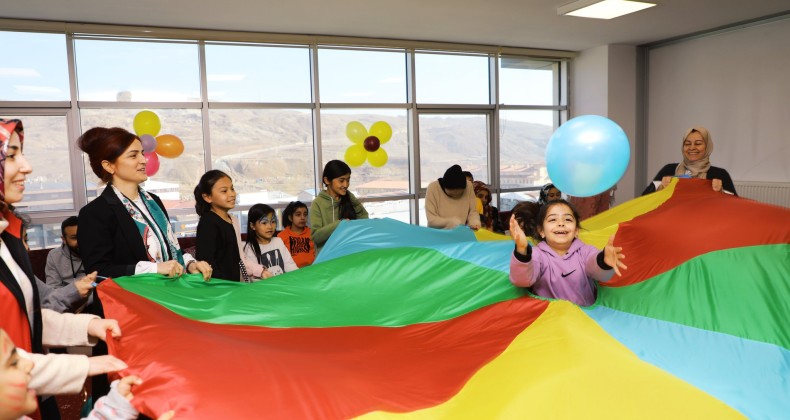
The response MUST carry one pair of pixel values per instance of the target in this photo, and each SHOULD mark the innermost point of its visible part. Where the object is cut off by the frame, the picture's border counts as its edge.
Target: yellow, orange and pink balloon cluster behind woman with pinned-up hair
(147, 126)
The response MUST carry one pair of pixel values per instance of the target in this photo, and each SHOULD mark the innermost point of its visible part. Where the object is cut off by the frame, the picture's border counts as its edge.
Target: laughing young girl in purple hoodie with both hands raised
(561, 266)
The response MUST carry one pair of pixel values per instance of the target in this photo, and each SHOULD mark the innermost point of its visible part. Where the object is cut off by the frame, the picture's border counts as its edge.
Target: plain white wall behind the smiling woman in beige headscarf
(737, 84)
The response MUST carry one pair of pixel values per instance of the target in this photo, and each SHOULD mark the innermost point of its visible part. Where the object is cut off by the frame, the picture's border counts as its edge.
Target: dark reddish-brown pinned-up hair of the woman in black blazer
(102, 144)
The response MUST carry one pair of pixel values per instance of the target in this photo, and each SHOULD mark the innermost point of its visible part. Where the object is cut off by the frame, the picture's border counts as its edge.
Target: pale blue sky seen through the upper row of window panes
(169, 71)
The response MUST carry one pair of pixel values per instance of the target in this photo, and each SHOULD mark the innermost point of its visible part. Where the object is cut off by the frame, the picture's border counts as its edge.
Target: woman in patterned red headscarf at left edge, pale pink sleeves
(21, 316)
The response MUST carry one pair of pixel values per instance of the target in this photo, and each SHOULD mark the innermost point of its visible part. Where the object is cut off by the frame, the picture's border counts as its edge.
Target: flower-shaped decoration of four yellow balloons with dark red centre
(367, 145)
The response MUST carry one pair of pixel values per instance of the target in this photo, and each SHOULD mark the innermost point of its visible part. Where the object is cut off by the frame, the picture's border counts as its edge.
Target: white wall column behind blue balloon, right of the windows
(603, 82)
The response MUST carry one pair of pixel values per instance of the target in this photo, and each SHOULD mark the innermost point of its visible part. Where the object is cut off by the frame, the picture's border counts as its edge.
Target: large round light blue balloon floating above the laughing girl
(587, 155)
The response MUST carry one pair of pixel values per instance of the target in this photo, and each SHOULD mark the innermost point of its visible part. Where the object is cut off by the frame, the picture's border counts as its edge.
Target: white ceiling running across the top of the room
(512, 23)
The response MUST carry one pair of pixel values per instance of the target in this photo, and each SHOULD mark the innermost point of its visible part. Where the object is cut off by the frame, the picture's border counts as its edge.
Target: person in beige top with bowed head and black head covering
(450, 201)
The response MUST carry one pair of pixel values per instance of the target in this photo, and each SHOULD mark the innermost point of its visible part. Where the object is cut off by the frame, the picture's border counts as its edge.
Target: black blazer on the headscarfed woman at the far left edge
(17, 250)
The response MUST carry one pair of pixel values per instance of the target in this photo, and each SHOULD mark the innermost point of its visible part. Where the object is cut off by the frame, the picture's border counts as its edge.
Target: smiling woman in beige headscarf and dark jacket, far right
(697, 147)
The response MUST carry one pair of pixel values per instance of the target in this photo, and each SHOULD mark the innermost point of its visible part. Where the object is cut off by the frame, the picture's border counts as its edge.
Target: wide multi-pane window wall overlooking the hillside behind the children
(271, 115)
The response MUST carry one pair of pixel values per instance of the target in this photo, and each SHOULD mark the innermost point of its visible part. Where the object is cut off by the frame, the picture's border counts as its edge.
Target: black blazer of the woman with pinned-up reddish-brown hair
(109, 240)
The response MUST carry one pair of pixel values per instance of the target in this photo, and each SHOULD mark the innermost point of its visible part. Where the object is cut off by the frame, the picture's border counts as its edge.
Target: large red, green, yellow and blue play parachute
(398, 320)
